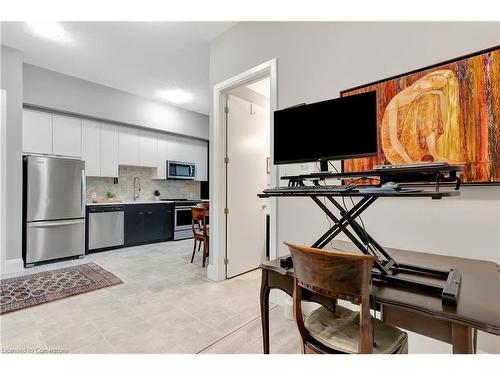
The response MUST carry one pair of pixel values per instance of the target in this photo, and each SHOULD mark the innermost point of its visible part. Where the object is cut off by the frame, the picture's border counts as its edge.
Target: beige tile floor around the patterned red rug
(165, 305)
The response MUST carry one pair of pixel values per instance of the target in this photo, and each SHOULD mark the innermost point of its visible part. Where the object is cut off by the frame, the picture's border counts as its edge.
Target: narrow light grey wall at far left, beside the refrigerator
(12, 83)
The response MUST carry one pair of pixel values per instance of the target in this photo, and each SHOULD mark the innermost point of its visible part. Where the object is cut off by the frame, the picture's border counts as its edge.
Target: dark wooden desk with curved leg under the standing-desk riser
(478, 307)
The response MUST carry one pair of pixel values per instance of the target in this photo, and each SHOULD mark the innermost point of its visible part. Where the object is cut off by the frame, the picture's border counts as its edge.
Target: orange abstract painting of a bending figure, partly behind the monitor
(449, 112)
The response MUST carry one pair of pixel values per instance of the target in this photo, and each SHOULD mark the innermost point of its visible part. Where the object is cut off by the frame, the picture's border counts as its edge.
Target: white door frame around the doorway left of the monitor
(216, 269)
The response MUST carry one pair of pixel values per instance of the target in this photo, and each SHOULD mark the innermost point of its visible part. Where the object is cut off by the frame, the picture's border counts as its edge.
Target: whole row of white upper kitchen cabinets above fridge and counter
(104, 146)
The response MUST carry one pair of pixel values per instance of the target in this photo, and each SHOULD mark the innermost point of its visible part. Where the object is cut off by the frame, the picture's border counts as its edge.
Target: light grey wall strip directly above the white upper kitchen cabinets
(46, 88)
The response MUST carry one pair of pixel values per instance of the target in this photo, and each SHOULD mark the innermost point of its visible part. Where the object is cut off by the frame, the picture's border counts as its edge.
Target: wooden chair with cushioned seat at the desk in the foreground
(341, 276)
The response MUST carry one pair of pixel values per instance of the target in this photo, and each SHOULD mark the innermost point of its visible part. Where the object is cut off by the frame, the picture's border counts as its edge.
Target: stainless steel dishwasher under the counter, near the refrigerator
(106, 225)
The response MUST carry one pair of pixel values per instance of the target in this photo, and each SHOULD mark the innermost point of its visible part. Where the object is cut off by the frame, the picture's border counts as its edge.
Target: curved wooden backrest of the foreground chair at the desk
(337, 275)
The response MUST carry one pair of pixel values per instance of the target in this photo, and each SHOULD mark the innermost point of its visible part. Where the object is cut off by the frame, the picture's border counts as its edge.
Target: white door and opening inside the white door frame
(247, 174)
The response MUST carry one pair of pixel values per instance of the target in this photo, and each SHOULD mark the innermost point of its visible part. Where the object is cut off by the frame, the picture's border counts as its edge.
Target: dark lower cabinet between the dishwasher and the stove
(145, 223)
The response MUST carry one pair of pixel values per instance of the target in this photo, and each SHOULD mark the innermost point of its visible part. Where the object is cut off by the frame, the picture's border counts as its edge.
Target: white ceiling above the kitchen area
(138, 57)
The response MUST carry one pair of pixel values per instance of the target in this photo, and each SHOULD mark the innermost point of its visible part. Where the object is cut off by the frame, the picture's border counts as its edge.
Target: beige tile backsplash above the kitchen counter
(124, 189)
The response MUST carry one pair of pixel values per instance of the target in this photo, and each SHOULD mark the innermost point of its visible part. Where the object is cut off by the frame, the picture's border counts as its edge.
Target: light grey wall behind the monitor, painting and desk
(318, 60)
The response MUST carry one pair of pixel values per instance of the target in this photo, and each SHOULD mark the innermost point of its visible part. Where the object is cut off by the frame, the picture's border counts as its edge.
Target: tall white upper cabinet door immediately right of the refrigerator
(91, 147)
